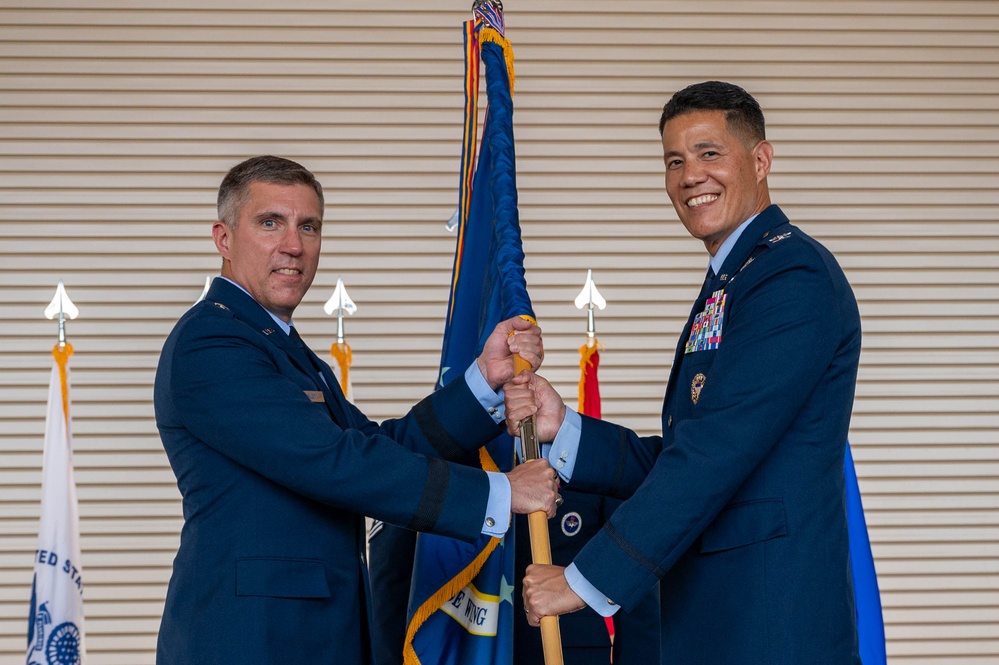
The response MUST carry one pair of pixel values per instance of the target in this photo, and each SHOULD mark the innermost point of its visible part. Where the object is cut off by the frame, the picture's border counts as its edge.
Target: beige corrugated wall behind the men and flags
(118, 119)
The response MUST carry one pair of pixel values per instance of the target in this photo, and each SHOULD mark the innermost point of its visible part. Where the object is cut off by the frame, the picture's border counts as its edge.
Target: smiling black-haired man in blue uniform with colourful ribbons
(738, 508)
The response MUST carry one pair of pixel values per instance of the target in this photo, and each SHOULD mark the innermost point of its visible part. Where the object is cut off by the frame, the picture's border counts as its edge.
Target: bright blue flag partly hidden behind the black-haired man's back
(870, 624)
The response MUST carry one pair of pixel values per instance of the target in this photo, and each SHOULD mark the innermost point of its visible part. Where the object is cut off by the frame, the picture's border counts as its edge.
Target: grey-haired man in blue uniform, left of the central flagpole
(277, 469)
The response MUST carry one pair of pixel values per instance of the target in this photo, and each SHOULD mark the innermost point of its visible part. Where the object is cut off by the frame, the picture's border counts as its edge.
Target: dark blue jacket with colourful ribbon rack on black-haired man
(738, 508)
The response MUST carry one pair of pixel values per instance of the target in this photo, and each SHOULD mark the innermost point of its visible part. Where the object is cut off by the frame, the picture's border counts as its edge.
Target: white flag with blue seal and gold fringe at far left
(55, 622)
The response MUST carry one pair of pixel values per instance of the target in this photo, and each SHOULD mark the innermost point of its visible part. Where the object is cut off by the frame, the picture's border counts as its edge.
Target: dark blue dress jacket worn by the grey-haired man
(275, 467)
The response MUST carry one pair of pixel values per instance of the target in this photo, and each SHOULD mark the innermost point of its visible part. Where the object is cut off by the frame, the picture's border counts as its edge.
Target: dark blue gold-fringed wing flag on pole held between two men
(460, 609)
